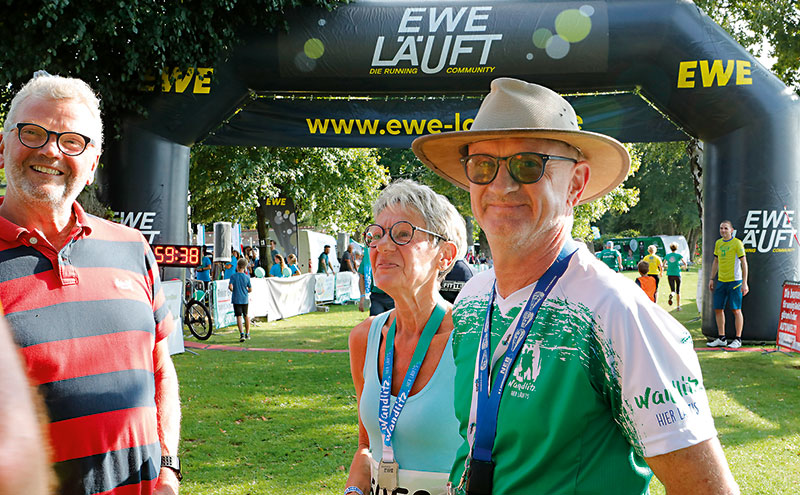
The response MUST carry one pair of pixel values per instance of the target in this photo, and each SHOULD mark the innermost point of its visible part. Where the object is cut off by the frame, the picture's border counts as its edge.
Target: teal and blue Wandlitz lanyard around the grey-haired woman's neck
(386, 421)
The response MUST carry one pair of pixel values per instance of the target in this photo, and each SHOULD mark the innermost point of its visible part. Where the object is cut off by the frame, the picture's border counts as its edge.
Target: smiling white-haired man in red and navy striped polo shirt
(83, 297)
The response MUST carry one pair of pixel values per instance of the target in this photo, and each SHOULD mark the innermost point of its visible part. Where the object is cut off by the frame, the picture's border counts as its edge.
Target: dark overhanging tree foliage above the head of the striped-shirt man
(112, 45)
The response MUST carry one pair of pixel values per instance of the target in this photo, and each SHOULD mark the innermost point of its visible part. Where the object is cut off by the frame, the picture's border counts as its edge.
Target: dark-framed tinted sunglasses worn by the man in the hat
(525, 168)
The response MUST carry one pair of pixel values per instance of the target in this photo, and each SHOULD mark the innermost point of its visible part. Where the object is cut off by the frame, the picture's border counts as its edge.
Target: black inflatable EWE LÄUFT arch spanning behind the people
(401, 69)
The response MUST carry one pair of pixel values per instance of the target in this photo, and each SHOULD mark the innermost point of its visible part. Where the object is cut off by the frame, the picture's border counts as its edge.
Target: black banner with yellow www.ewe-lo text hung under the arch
(395, 123)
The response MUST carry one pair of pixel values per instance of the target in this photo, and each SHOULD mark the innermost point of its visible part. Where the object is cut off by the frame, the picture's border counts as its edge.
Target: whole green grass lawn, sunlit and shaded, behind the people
(283, 422)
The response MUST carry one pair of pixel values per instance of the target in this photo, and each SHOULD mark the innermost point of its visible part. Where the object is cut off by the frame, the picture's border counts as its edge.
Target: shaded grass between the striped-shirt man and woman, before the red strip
(286, 422)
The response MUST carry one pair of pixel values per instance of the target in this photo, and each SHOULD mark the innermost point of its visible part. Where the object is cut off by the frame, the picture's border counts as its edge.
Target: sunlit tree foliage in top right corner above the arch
(751, 22)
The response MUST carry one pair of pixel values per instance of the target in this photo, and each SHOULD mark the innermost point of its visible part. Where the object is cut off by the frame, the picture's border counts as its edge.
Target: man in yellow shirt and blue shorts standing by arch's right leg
(731, 286)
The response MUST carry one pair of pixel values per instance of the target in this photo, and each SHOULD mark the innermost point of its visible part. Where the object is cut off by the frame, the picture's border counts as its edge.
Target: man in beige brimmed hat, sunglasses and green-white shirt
(568, 378)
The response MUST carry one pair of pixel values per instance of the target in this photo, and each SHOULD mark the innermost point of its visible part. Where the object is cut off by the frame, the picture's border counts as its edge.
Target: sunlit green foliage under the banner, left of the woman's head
(333, 189)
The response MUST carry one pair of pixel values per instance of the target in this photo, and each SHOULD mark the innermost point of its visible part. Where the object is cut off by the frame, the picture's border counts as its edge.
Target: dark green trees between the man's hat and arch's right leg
(667, 203)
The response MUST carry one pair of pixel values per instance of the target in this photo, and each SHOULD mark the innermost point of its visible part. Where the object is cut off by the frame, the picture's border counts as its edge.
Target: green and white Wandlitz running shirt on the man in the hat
(605, 378)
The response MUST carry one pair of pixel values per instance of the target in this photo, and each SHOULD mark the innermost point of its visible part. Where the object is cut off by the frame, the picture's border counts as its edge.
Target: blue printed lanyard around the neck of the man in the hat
(489, 404)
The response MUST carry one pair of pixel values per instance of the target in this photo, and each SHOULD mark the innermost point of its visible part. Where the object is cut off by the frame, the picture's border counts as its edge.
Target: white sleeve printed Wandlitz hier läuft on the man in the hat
(658, 397)
